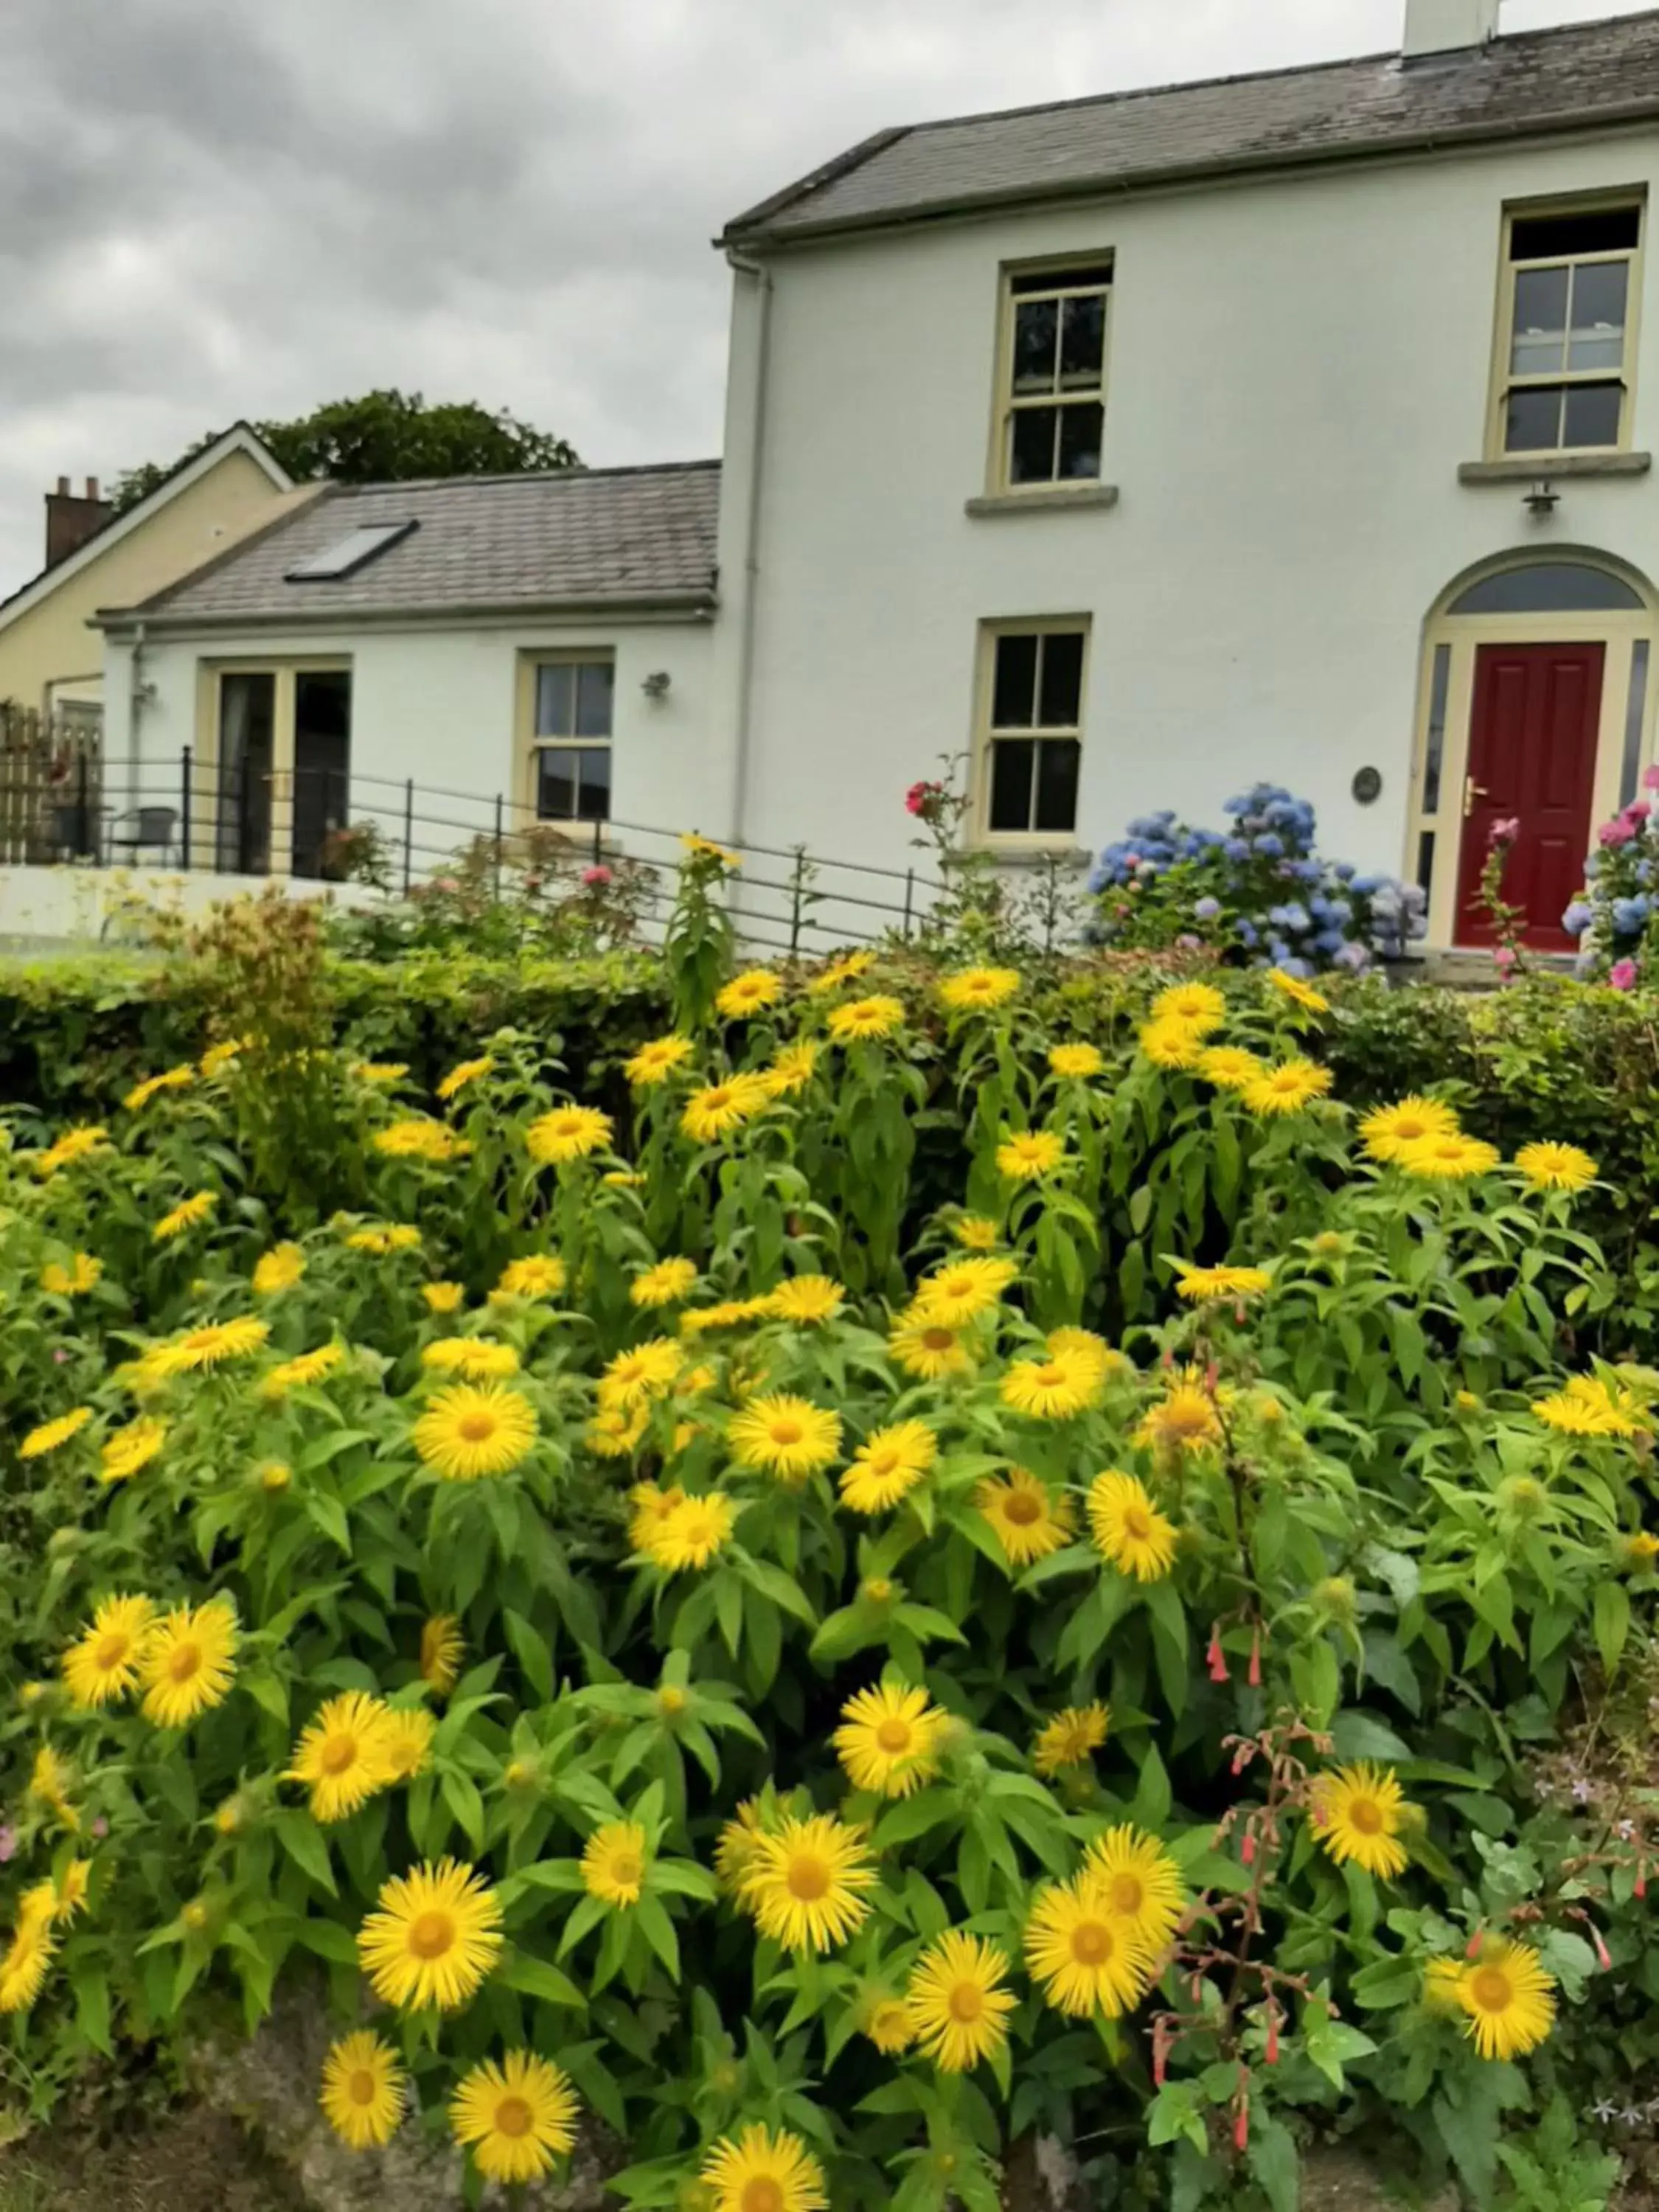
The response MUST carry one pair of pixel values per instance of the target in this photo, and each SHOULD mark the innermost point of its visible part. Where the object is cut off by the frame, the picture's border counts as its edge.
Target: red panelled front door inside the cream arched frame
(1532, 760)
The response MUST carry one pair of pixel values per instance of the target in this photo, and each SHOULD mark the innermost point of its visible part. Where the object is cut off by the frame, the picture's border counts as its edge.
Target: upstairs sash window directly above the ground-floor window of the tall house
(1052, 375)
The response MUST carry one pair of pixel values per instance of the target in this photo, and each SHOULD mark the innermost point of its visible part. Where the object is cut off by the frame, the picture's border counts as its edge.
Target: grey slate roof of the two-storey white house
(1530, 85)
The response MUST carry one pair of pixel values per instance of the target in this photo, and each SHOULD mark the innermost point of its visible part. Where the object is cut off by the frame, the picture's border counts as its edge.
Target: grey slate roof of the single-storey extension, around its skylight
(572, 539)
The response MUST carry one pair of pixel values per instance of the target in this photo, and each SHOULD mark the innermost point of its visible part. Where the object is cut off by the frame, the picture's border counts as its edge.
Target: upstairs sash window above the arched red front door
(1567, 313)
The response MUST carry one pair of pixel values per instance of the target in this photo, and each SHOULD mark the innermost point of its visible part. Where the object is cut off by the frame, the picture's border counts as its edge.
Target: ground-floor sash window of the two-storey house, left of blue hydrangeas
(1032, 731)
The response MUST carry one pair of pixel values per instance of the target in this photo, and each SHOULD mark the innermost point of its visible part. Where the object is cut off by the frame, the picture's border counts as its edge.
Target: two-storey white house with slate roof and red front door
(1277, 428)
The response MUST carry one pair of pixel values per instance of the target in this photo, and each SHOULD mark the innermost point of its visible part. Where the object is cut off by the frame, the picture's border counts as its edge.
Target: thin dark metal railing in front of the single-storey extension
(404, 839)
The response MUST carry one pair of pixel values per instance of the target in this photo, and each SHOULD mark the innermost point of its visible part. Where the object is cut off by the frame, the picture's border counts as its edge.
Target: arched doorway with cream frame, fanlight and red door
(1536, 705)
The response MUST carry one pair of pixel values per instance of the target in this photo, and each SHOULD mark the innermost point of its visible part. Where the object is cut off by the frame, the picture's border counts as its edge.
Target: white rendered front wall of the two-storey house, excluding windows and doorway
(1295, 375)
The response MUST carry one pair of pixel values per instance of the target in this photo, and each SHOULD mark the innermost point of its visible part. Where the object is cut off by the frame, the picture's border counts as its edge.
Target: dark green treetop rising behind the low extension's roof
(386, 437)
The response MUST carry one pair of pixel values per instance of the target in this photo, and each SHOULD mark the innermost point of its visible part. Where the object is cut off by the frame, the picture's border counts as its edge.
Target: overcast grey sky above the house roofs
(218, 209)
